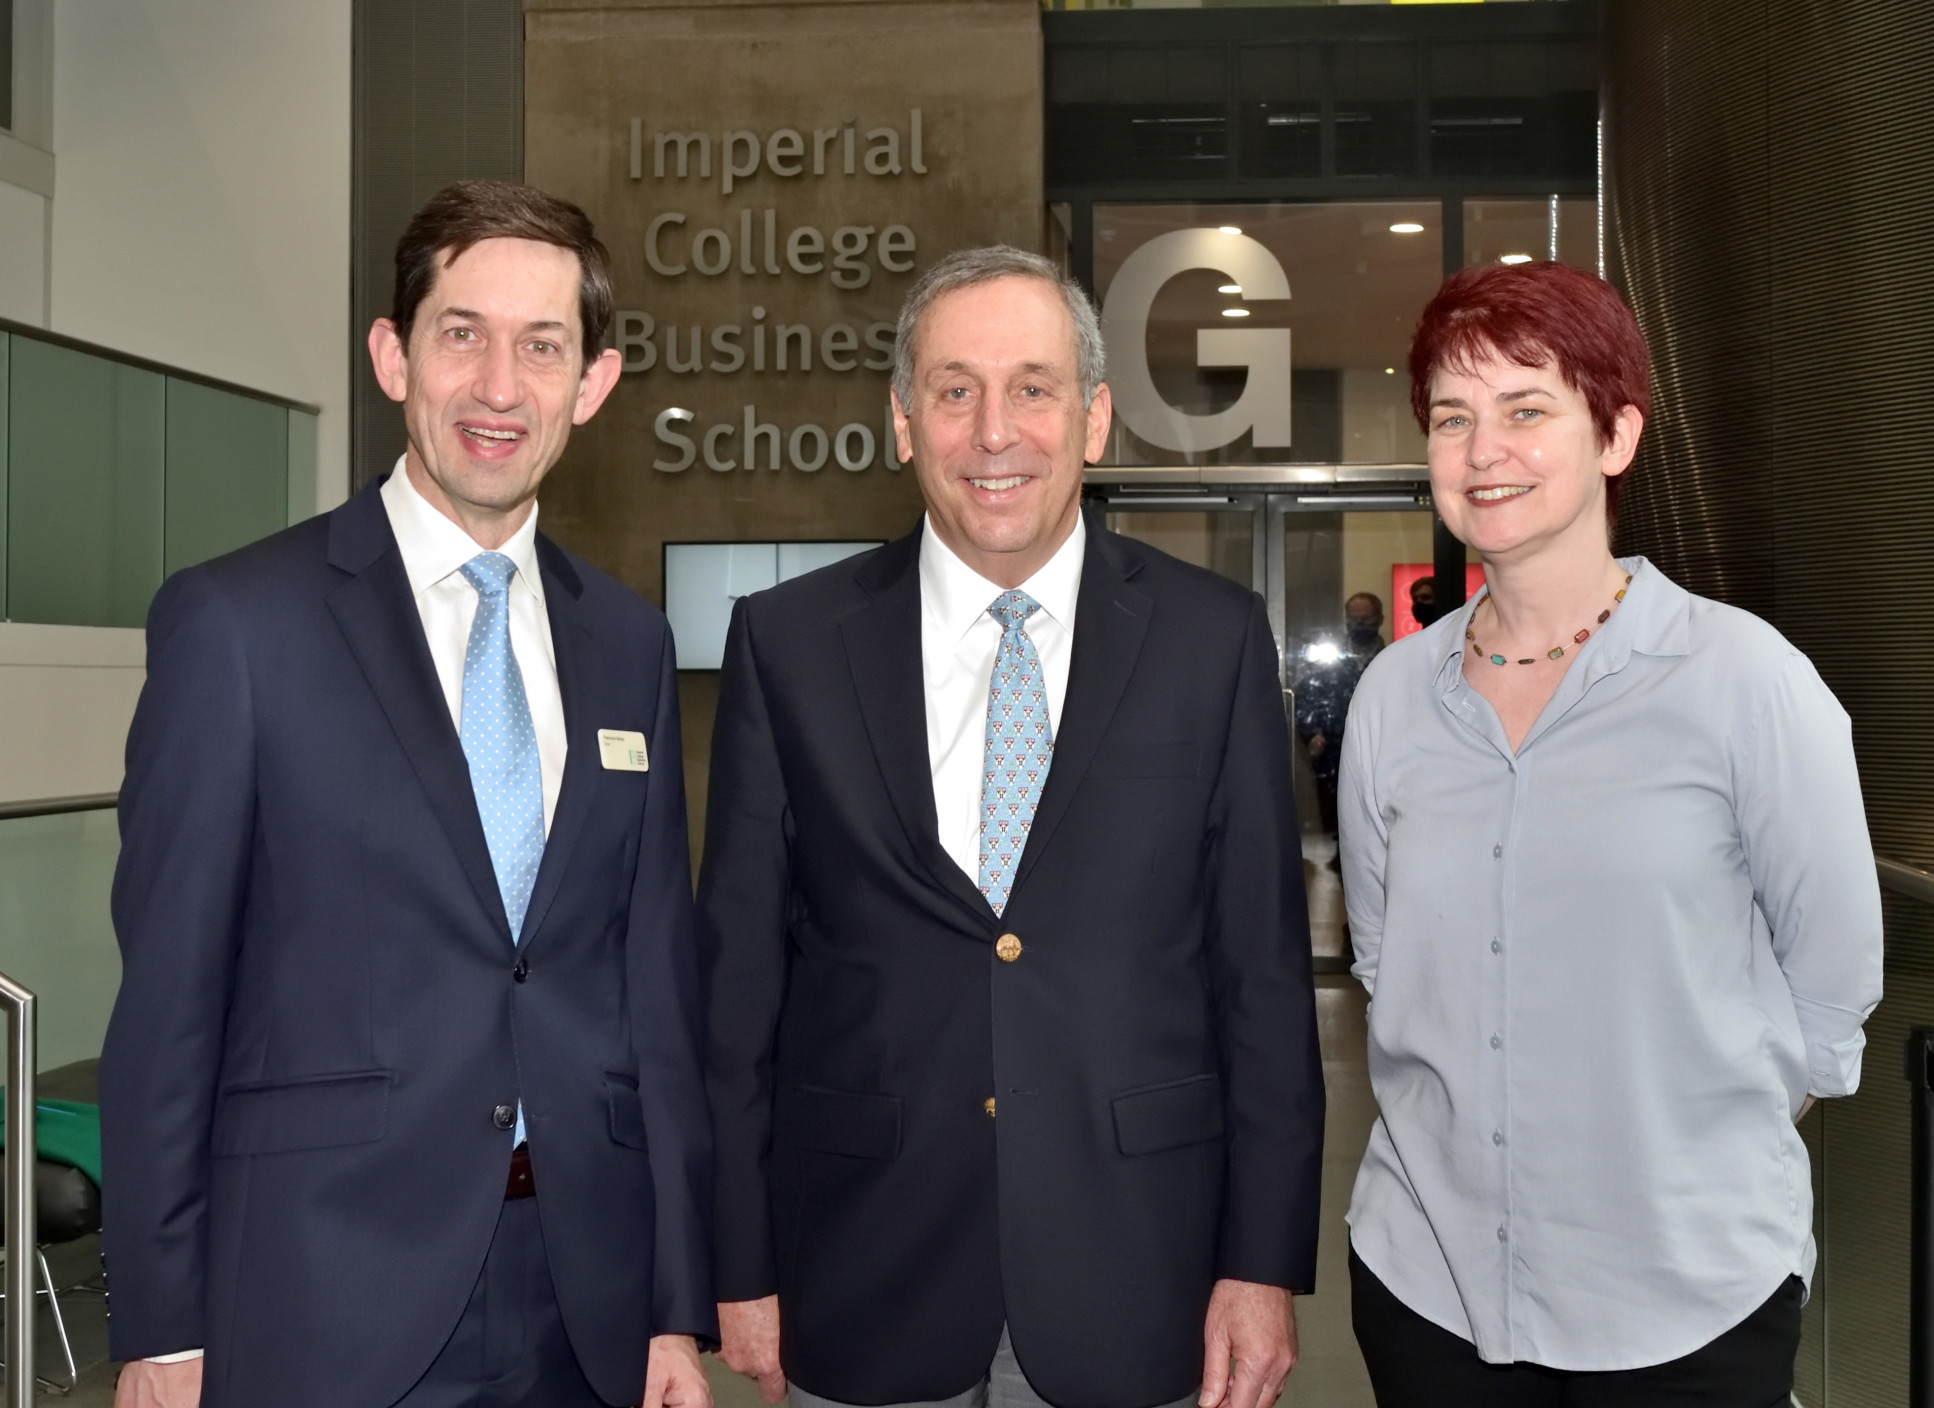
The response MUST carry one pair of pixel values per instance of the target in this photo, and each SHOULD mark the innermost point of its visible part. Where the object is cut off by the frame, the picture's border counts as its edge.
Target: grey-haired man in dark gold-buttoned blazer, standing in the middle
(1011, 1028)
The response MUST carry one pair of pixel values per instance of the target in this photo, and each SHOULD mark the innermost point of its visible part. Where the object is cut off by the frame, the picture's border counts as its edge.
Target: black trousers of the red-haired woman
(1417, 1364)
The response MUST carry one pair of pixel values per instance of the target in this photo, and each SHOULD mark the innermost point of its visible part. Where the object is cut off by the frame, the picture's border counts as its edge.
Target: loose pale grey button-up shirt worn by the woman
(1606, 970)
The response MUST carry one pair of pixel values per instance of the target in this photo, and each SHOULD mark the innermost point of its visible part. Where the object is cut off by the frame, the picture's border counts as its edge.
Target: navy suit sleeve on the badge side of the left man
(668, 1030)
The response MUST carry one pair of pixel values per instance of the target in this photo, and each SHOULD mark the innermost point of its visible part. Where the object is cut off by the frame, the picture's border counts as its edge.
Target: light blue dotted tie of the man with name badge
(500, 742)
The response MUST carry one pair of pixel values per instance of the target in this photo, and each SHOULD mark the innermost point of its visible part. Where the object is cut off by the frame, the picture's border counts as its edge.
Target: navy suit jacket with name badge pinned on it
(322, 1007)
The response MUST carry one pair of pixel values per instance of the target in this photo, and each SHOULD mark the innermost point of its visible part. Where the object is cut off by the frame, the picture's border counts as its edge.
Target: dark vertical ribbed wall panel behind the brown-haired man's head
(438, 96)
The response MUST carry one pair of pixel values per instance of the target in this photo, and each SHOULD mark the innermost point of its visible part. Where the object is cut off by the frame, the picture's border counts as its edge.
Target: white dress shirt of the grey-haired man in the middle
(958, 649)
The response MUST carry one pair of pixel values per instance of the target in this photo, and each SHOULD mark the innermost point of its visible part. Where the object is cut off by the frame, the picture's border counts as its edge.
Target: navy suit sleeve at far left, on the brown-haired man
(181, 889)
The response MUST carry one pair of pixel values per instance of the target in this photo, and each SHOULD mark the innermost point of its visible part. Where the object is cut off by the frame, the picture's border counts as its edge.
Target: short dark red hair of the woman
(1537, 314)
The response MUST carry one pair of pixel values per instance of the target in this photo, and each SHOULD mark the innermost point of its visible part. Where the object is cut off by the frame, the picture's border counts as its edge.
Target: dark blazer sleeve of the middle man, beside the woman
(1258, 943)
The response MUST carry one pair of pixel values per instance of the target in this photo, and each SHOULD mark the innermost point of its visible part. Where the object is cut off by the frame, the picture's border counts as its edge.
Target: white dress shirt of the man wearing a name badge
(434, 554)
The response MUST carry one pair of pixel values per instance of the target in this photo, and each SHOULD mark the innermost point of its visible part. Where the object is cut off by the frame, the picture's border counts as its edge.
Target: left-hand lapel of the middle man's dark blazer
(883, 643)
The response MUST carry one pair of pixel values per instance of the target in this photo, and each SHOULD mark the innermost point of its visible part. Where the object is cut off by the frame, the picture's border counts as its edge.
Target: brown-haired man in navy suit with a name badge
(403, 1096)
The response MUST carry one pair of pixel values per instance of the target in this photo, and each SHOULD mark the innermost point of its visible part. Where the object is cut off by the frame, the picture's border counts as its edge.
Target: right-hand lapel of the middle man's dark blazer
(1111, 622)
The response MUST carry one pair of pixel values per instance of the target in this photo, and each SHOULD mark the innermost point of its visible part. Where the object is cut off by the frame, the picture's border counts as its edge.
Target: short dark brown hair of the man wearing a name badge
(467, 214)
